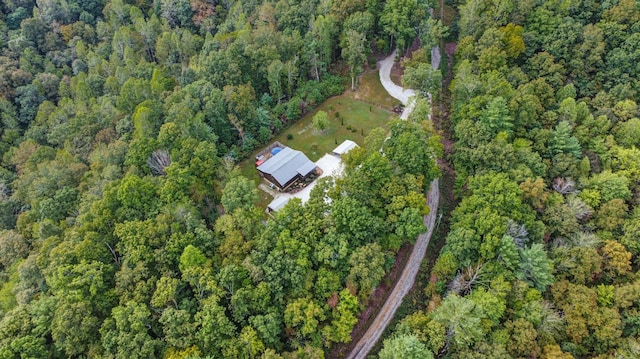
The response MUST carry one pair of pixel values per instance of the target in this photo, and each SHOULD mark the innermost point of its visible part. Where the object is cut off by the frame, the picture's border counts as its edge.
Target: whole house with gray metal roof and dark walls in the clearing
(285, 167)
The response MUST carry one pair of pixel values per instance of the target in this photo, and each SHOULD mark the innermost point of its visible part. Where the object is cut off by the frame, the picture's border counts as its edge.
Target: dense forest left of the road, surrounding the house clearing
(126, 229)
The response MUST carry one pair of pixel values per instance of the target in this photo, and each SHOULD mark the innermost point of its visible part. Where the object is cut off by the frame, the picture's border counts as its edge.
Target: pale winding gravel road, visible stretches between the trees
(410, 271)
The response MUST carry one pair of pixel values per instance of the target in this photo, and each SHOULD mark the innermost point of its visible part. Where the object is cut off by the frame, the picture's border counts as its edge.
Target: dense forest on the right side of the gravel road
(541, 258)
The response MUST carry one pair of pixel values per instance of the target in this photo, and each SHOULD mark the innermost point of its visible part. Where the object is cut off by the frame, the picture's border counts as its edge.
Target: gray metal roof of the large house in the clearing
(286, 165)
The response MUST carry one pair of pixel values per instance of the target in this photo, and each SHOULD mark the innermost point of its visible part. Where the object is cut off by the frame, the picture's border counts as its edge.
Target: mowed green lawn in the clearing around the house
(358, 112)
